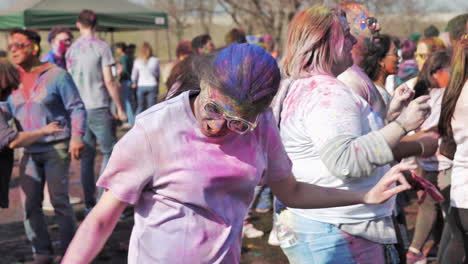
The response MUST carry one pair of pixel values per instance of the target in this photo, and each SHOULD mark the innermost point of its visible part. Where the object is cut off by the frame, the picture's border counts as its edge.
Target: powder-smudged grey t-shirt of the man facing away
(85, 59)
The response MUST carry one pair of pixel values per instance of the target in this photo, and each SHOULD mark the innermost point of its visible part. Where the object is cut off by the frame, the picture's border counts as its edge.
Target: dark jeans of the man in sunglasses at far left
(36, 169)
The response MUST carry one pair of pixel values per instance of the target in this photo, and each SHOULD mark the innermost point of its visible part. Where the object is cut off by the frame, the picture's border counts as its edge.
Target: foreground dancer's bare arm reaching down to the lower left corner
(95, 230)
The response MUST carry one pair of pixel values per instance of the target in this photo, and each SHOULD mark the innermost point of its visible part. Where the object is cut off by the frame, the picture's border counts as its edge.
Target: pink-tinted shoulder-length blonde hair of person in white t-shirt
(315, 41)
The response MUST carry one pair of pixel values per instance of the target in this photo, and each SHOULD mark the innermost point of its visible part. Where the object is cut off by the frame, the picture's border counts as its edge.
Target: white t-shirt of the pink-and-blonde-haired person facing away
(317, 110)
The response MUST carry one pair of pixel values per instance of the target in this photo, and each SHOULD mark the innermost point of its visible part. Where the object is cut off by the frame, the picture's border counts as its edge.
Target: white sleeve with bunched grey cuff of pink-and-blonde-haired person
(334, 125)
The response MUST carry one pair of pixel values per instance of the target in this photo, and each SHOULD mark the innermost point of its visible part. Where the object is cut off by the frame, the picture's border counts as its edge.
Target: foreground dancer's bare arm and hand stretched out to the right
(308, 196)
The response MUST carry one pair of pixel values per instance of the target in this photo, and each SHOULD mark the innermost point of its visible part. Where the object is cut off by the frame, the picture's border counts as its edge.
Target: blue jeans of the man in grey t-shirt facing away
(100, 129)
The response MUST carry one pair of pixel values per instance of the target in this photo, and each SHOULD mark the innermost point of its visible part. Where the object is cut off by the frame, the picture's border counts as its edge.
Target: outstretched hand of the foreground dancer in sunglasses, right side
(384, 190)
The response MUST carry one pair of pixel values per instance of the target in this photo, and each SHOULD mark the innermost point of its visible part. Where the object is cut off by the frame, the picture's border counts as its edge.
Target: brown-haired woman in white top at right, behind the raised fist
(432, 81)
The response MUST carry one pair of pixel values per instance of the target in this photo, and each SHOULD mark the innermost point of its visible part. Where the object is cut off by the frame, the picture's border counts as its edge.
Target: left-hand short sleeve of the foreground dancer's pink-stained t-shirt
(130, 167)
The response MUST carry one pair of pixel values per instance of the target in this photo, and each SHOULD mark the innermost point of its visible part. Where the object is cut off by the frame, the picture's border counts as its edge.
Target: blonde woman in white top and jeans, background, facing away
(145, 78)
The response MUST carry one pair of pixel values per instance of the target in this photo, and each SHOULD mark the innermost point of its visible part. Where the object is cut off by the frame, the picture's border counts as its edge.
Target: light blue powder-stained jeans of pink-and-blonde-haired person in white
(308, 241)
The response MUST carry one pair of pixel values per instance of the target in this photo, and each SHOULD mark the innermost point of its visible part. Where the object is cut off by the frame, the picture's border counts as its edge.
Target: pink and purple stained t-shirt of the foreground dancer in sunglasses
(191, 192)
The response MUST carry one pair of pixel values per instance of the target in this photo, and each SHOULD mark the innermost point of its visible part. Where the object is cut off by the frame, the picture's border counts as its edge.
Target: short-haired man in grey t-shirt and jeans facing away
(89, 60)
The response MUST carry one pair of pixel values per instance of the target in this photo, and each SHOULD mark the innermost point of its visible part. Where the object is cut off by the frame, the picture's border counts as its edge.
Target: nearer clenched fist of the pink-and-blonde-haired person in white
(415, 114)
